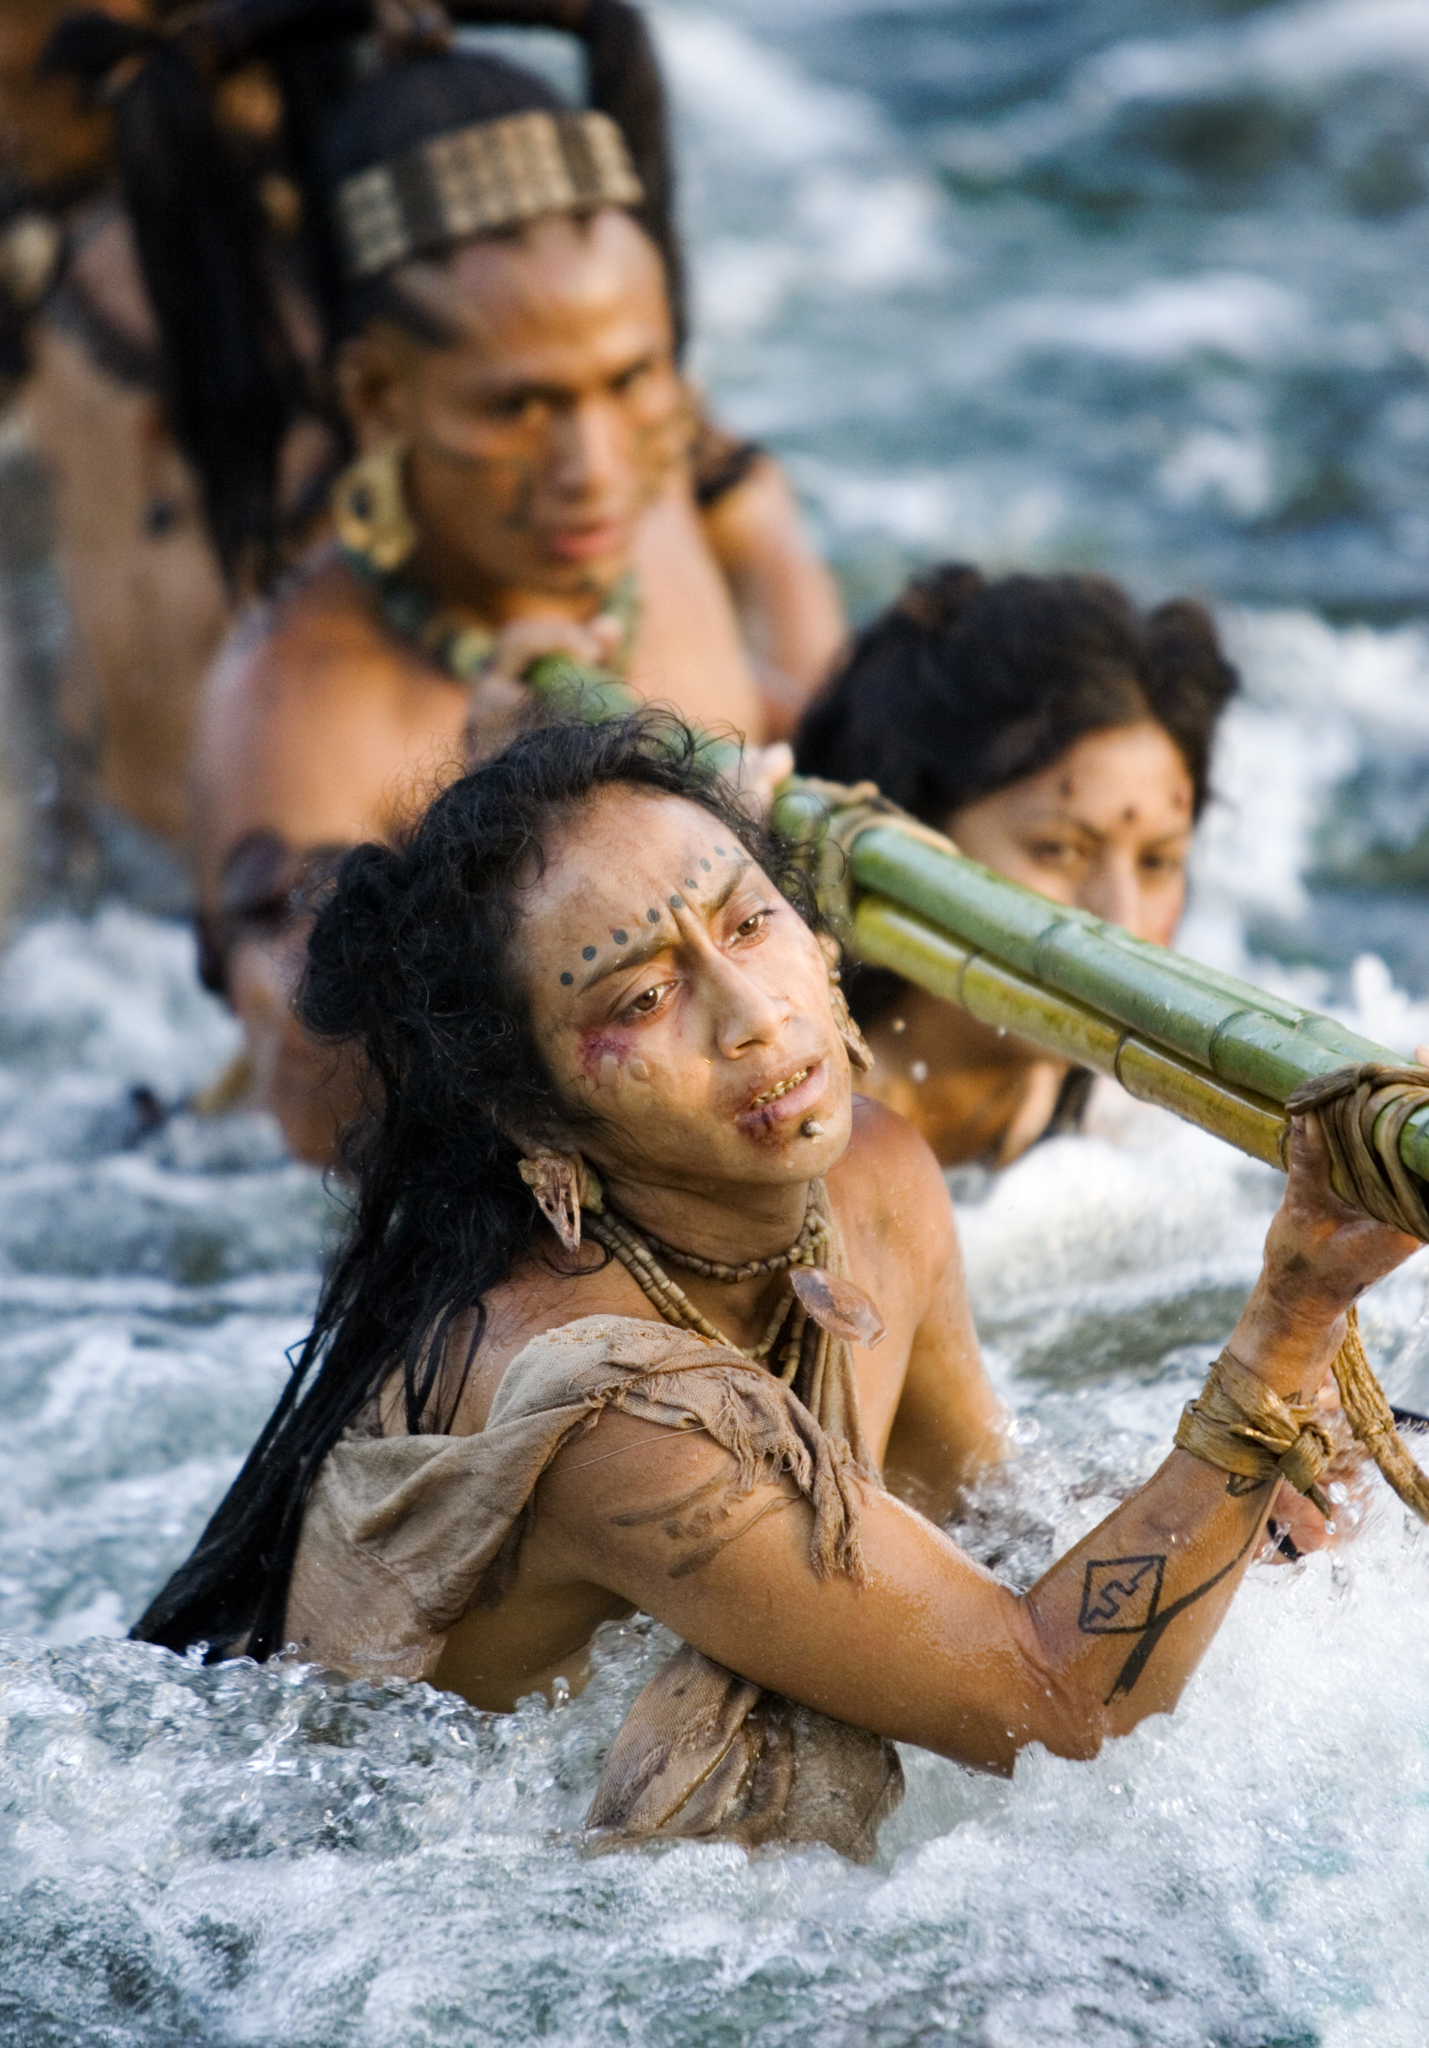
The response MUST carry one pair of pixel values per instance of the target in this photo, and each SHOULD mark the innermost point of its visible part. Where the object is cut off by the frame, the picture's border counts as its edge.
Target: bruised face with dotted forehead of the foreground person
(683, 1000)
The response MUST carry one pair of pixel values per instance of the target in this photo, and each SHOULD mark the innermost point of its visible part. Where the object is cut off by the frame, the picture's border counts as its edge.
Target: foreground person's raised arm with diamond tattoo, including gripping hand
(928, 1648)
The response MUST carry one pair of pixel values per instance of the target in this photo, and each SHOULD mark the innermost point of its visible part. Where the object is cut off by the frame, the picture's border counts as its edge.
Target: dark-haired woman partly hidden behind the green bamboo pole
(1059, 736)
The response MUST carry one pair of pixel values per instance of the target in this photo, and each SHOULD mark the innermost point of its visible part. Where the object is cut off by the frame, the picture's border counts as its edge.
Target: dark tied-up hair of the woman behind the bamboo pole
(967, 685)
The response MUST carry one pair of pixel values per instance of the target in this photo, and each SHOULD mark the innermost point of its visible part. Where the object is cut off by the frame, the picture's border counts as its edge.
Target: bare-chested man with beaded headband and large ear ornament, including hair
(527, 468)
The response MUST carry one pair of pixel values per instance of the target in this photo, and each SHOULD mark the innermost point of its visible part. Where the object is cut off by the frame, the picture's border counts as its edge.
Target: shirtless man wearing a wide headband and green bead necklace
(499, 292)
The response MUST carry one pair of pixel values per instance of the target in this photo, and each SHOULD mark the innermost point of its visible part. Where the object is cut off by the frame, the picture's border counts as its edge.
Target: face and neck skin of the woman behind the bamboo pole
(1107, 828)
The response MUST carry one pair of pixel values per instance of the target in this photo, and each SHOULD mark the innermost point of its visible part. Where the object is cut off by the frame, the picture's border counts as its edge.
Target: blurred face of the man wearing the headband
(552, 421)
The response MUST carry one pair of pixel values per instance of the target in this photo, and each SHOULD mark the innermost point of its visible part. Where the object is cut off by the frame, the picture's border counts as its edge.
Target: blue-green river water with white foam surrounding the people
(1070, 284)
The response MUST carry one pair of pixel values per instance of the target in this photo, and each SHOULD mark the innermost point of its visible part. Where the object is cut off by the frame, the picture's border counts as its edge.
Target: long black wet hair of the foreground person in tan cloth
(415, 962)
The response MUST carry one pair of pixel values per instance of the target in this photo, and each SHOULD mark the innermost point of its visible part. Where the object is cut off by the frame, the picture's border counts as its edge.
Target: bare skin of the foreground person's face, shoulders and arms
(677, 1054)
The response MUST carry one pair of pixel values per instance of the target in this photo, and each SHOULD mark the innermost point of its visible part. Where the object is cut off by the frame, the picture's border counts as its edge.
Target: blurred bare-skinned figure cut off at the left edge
(95, 458)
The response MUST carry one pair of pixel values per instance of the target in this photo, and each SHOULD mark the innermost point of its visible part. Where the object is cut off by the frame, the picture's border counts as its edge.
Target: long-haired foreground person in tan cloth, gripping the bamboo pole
(644, 1310)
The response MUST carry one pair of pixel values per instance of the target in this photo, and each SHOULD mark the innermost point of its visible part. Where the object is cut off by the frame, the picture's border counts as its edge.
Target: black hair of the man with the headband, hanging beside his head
(210, 255)
